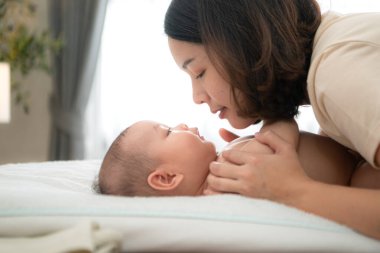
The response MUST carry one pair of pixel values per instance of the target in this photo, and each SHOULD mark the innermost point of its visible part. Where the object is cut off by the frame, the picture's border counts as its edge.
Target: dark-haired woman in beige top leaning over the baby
(261, 60)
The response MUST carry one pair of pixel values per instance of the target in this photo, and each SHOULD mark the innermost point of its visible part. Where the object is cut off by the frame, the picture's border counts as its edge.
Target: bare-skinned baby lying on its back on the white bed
(152, 159)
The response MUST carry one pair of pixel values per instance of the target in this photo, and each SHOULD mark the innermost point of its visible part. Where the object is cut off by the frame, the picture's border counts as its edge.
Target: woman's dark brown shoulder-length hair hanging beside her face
(262, 48)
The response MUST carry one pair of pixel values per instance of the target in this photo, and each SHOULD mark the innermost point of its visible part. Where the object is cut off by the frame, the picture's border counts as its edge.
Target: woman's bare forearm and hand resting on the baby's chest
(280, 177)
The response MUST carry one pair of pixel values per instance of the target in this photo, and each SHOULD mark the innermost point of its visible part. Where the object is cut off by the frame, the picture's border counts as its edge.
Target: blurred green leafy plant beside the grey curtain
(21, 47)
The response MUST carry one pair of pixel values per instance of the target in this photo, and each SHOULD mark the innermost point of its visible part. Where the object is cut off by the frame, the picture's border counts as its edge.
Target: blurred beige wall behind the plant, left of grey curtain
(26, 137)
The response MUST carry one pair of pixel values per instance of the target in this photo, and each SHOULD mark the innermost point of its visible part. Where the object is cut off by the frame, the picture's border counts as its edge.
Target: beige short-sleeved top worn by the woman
(344, 80)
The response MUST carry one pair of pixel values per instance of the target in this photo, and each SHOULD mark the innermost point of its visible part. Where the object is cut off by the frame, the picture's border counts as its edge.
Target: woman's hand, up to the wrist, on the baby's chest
(270, 176)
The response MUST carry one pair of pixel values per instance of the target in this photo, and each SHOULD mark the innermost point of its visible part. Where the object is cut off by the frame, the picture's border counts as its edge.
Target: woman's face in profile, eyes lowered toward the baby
(208, 85)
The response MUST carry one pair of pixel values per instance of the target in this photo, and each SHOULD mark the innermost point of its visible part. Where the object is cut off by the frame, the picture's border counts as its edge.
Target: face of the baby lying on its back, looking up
(180, 147)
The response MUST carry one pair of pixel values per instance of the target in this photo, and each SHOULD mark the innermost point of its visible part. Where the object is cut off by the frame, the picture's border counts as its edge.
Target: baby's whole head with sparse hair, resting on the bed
(152, 159)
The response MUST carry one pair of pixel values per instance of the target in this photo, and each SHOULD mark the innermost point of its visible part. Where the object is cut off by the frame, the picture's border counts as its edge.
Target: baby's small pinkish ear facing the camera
(162, 180)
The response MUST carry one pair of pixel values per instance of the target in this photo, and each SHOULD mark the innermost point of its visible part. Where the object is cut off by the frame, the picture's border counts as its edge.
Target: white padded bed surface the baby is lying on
(51, 207)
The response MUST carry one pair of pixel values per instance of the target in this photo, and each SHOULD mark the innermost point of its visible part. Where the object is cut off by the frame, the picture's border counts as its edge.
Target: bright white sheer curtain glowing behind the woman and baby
(138, 78)
